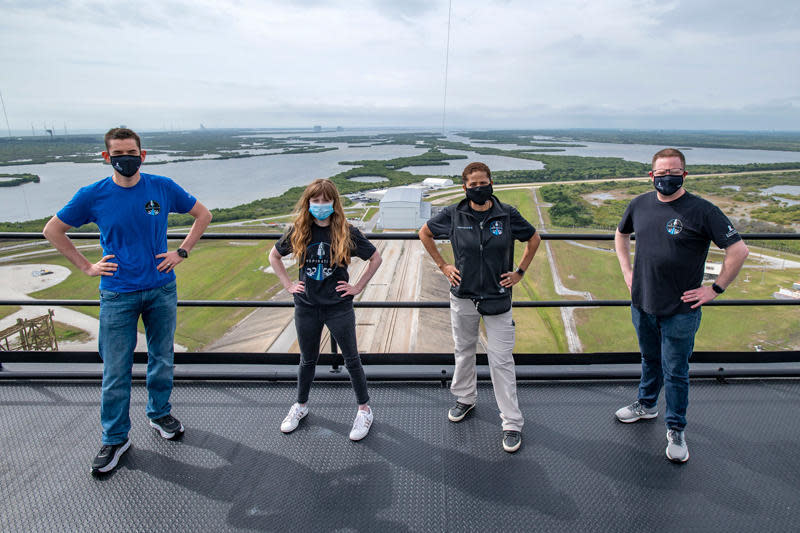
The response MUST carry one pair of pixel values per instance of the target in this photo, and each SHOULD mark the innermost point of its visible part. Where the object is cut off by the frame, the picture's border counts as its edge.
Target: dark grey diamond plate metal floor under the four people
(578, 469)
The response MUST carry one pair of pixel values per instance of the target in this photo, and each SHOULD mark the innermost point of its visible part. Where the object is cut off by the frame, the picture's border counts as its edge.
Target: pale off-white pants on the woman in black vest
(465, 320)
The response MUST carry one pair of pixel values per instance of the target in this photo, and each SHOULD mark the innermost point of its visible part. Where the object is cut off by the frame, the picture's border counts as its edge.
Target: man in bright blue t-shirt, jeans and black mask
(137, 278)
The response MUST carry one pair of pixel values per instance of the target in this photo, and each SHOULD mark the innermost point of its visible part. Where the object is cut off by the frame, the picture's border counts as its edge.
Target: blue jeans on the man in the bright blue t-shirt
(119, 315)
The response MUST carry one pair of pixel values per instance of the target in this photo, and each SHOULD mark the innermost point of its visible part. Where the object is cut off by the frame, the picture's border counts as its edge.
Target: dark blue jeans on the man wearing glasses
(666, 343)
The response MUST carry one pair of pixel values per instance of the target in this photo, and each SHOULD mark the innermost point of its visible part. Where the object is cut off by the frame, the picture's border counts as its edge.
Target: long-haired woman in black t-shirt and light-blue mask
(323, 242)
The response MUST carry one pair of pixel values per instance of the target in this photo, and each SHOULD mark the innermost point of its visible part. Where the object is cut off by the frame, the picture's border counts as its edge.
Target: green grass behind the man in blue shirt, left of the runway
(216, 270)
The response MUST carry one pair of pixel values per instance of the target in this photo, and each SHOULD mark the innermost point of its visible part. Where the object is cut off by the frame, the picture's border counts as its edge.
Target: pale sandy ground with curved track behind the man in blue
(17, 281)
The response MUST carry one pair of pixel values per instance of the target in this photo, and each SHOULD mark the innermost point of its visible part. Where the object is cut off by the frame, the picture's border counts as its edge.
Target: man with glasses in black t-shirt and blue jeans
(673, 231)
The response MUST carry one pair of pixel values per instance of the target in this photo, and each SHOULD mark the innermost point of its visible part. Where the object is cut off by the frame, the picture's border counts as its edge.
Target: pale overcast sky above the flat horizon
(152, 64)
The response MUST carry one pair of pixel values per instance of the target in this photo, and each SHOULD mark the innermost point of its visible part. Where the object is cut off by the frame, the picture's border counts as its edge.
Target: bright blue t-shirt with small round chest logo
(133, 226)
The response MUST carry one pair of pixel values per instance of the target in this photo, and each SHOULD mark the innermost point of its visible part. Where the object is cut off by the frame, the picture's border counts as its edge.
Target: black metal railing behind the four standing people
(415, 359)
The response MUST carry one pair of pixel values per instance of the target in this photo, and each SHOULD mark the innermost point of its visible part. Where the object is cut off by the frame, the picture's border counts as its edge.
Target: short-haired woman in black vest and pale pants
(482, 231)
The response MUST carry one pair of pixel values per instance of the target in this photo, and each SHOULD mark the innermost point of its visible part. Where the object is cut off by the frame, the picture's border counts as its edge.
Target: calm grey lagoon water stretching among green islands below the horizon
(230, 182)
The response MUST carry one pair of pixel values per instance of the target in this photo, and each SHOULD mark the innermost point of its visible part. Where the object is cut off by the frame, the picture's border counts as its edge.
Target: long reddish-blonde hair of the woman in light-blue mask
(340, 230)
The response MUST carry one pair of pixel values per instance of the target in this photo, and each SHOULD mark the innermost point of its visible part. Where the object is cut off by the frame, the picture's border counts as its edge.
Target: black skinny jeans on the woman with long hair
(341, 322)
